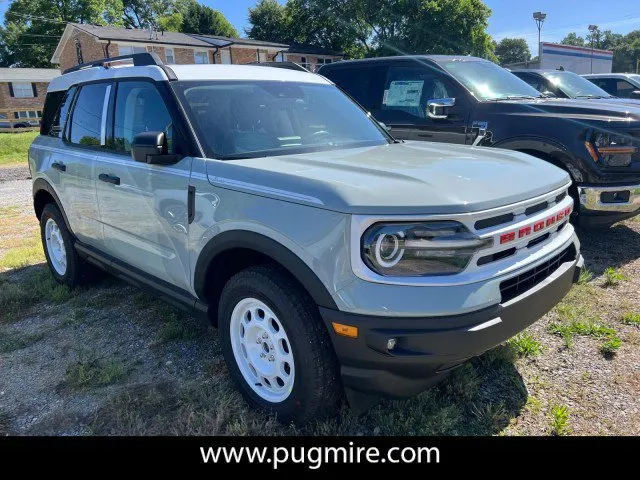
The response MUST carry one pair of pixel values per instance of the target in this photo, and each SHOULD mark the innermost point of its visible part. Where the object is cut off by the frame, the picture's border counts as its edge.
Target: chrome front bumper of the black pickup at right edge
(605, 205)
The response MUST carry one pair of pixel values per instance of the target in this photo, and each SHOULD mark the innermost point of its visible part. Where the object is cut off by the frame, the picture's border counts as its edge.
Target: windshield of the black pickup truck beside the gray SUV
(488, 81)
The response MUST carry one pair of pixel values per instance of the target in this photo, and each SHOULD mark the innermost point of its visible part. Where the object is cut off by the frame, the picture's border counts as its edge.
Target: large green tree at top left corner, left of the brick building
(32, 28)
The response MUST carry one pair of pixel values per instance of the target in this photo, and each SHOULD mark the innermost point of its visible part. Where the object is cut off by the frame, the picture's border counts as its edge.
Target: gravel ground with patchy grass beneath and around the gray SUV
(108, 359)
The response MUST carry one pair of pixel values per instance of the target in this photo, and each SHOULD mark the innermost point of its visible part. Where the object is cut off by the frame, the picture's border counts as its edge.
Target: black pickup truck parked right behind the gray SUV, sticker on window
(468, 100)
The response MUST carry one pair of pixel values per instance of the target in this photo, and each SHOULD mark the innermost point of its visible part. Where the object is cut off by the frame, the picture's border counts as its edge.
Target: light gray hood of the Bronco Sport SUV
(403, 178)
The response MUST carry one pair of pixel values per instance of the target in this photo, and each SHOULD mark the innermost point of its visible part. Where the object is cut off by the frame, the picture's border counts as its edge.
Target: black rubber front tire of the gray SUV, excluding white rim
(316, 389)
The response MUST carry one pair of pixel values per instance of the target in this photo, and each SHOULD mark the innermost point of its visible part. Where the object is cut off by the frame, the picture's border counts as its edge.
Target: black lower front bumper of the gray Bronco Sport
(428, 348)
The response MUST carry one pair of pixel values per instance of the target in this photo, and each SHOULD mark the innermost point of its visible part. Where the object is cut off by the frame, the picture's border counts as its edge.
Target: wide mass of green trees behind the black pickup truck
(377, 27)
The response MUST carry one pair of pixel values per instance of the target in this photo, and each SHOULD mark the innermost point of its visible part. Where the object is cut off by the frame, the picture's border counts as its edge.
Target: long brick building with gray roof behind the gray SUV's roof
(81, 43)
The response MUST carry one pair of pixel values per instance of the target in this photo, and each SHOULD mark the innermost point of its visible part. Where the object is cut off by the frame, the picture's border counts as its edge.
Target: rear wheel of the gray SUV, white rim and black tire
(63, 261)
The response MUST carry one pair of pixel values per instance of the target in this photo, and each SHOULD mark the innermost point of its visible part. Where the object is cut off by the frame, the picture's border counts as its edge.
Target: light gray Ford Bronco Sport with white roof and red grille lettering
(330, 256)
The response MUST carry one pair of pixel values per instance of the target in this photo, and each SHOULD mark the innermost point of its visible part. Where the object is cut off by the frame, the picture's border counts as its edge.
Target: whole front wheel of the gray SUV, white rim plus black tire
(276, 346)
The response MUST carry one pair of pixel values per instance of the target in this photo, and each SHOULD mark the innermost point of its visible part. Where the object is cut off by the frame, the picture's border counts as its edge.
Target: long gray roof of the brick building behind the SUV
(115, 34)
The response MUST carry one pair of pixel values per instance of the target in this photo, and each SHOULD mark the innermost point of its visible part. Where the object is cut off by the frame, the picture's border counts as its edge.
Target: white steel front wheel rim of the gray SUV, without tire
(262, 350)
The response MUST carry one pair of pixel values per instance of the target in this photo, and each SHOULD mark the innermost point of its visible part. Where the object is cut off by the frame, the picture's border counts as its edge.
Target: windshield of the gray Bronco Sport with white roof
(243, 119)
